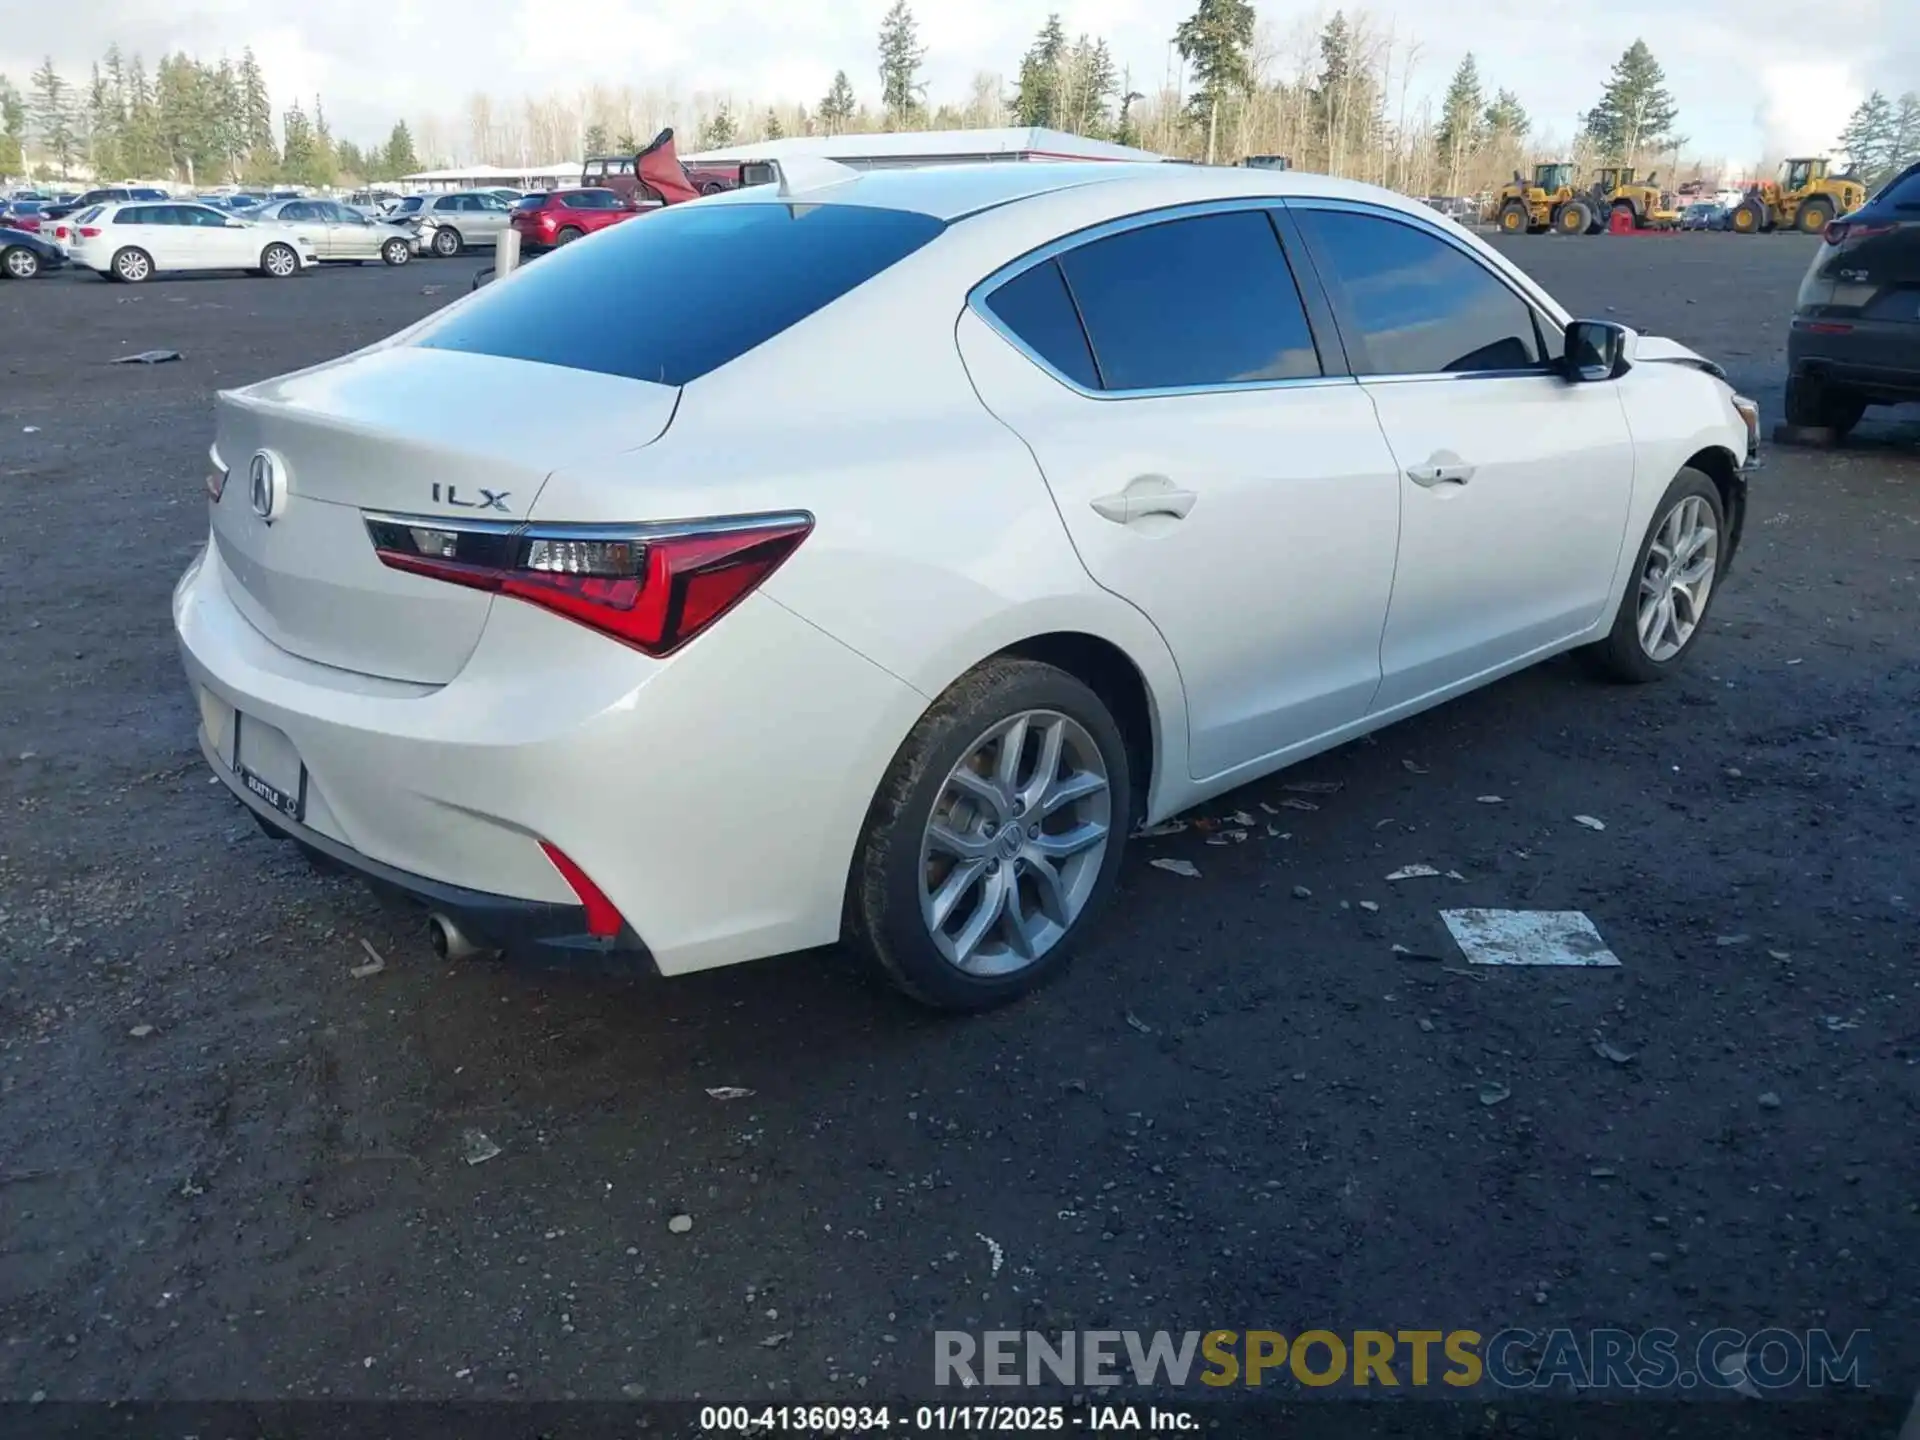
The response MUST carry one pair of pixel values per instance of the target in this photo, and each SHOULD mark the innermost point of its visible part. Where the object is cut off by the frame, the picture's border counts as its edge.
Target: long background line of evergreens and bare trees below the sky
(1335, 97)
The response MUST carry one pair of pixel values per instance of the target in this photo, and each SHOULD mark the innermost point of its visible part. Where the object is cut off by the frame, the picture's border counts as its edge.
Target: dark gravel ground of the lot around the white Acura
(229, 1168)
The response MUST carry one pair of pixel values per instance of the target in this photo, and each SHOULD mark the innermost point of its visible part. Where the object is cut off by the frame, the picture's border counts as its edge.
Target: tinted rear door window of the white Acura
(1197, 302)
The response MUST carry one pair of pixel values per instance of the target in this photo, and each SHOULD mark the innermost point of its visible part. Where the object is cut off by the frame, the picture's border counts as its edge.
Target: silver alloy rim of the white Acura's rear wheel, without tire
(1015, 846)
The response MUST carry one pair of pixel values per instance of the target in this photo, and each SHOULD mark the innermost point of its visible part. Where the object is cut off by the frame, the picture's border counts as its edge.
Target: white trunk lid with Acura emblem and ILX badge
(398, 431)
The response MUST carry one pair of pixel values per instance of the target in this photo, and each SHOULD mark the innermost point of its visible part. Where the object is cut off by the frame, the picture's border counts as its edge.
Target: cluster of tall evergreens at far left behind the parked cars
(203, 124)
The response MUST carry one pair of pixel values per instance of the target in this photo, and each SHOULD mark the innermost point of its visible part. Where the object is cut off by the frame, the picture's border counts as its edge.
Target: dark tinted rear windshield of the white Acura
(684, 291)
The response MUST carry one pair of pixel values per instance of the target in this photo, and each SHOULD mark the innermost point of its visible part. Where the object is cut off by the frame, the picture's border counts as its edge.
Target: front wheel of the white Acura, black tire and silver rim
(1625, 656)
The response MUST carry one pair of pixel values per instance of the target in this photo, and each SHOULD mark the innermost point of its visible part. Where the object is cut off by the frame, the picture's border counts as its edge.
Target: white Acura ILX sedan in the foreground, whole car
(869, 556)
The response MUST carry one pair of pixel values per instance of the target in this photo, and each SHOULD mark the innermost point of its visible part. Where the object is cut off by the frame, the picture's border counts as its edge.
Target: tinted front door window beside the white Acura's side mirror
(1412, 304)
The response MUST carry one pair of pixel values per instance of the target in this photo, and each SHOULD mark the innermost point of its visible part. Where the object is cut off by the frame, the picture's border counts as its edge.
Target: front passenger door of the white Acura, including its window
(1514, 483)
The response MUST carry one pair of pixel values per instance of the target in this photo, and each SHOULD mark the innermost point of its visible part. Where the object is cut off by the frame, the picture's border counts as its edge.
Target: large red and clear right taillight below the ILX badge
(652, 587)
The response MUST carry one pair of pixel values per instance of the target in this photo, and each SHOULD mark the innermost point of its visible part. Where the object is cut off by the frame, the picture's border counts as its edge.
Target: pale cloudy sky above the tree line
(1729, 62)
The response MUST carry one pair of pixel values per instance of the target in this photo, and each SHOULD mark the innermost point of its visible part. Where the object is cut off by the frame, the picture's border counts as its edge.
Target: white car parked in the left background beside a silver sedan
(137, 241)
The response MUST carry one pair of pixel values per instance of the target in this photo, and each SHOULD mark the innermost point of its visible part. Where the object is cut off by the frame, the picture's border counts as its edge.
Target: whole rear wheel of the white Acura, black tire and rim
(900, 873)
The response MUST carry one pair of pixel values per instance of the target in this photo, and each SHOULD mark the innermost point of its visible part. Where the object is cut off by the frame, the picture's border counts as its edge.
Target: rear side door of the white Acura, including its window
(1209, 466)
